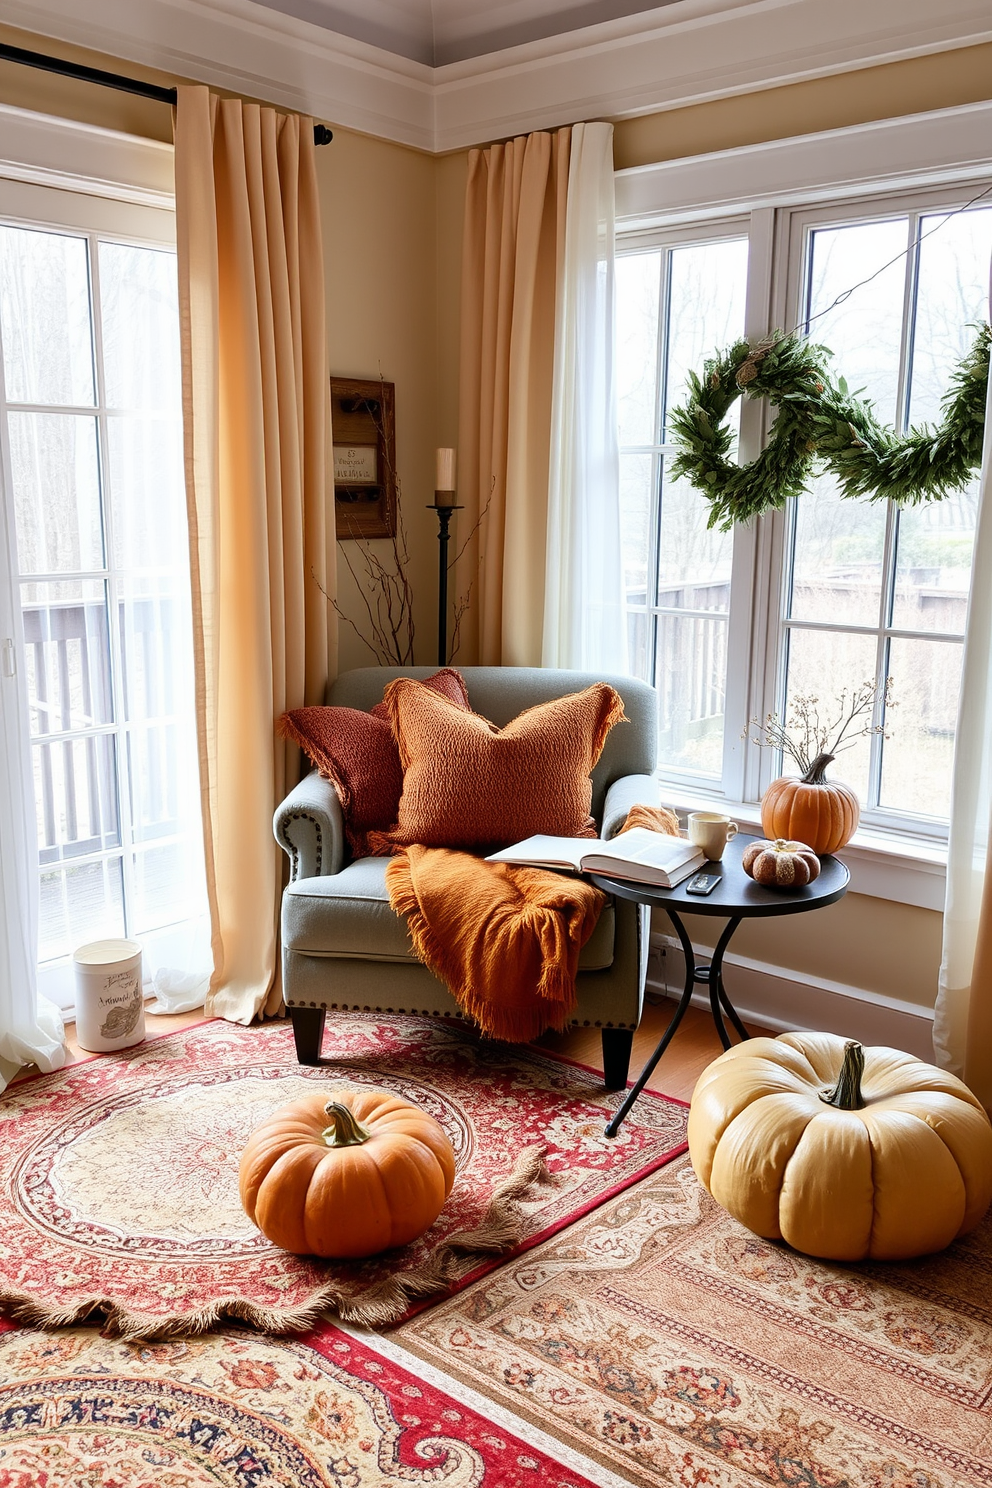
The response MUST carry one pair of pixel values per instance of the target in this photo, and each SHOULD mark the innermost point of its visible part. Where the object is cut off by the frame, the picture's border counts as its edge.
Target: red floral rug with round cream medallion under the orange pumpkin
(118, 1178)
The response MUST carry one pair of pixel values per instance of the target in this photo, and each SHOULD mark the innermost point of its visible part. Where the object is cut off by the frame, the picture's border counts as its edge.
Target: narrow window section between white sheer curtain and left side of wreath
(676, 303)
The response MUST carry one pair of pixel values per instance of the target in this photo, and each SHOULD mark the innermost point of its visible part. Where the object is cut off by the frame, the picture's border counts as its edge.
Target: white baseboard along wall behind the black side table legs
(786, 1001)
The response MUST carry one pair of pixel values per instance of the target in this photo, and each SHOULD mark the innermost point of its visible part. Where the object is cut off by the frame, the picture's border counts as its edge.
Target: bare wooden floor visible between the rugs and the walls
(692, 1050)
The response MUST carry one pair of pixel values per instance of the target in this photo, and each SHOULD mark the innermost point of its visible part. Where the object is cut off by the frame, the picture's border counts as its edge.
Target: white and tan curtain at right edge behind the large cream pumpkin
(963, 1026)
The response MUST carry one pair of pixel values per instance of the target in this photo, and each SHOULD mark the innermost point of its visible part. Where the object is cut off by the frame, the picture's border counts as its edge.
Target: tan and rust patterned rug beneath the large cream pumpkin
(671, 1346)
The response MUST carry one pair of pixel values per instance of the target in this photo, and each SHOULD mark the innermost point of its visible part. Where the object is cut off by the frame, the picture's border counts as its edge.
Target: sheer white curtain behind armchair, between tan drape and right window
(584, 599)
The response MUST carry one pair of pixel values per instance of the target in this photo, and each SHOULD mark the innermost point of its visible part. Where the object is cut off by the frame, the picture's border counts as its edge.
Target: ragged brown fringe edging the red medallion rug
(377, 1307)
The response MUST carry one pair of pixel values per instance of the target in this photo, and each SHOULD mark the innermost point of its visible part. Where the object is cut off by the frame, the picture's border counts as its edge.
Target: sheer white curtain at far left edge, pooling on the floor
(30, 1027)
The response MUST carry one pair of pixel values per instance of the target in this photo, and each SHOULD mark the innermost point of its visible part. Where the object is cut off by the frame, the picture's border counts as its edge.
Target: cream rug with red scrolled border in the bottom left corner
(242, 1411)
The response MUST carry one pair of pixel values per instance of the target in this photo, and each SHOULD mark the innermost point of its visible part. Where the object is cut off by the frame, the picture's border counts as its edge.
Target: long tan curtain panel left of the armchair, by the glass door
(257, 410)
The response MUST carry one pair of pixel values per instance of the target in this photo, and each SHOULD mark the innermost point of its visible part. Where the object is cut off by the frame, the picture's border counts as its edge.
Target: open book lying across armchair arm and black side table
(643, 856)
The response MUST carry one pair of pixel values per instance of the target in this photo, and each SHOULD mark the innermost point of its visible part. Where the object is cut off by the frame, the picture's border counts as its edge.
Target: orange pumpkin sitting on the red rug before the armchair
(346, 1178)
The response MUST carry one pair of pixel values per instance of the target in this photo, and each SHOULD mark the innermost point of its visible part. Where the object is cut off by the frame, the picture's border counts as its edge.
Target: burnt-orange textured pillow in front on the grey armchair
(469, 785)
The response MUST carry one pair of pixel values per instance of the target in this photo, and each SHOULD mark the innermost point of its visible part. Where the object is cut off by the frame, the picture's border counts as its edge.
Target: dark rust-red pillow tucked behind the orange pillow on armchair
(358, 754)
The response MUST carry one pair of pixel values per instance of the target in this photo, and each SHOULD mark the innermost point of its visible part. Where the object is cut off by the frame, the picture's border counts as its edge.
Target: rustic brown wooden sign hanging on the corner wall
(364, 432)
